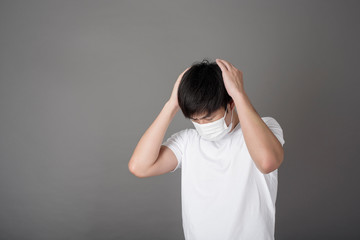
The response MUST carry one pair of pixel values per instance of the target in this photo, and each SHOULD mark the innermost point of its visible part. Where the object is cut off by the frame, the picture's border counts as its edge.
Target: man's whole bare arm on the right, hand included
(264, 148)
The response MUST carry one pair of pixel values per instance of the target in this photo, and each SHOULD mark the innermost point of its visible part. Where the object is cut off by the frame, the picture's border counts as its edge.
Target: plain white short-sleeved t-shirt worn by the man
(223, 194)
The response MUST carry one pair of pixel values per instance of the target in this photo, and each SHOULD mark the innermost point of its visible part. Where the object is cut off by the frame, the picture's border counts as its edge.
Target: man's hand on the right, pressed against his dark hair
(233, 78)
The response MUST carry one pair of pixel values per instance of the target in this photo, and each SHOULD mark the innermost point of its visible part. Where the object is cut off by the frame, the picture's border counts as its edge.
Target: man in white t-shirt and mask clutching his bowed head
(229, 161)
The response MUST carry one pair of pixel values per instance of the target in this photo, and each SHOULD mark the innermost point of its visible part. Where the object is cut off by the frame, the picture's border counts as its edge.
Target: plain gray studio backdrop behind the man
(81, 81)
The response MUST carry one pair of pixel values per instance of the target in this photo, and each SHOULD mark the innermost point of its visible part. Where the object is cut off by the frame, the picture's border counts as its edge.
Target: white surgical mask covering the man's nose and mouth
(214, 130)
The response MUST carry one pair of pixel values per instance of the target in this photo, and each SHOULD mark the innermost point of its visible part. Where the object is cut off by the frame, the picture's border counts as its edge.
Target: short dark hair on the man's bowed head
(202, 89)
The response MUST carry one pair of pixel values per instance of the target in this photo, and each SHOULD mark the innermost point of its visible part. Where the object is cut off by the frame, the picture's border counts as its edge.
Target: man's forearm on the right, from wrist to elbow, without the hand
(264, 148)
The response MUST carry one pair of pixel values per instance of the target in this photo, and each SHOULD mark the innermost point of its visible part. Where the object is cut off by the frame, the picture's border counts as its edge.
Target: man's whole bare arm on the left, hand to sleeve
(150, 158)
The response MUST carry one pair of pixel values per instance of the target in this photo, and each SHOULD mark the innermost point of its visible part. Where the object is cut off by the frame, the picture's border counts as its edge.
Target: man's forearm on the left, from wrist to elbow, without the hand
(148, 147)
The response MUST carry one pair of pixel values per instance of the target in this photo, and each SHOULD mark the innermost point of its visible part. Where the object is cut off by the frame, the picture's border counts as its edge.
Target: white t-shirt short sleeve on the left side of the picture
(176, 142)
